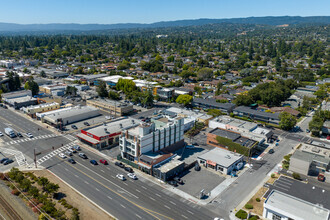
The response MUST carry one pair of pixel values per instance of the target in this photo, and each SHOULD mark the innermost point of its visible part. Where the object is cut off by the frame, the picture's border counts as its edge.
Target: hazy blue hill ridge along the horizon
(290, 20)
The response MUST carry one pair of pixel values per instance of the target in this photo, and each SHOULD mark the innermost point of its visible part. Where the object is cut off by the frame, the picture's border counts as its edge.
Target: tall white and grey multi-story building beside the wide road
(161, 133)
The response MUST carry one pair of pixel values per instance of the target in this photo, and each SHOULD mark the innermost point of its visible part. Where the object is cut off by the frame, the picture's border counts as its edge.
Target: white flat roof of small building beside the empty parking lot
(220, 156)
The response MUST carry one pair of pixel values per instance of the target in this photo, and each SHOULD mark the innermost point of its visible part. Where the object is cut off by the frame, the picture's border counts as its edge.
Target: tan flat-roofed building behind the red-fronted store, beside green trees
(110, 106)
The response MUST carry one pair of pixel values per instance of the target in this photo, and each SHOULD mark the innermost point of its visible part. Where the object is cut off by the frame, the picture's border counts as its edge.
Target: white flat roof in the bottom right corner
(295, 208)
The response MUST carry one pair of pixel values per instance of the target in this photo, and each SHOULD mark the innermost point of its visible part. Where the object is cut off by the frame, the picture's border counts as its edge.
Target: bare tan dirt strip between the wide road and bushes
(87, 209)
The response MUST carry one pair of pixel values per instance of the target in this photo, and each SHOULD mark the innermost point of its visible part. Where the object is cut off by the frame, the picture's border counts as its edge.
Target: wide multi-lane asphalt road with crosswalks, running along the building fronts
(125, 200)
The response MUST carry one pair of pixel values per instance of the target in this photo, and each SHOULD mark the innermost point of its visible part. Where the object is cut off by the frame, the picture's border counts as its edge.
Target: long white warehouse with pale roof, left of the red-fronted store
(70, 115)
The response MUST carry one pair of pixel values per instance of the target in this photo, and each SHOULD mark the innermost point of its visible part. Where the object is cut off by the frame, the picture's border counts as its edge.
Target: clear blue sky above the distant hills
(149, 11)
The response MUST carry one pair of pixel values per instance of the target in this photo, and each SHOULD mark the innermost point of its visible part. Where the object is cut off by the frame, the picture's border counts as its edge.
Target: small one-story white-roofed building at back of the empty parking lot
(221, 160)
